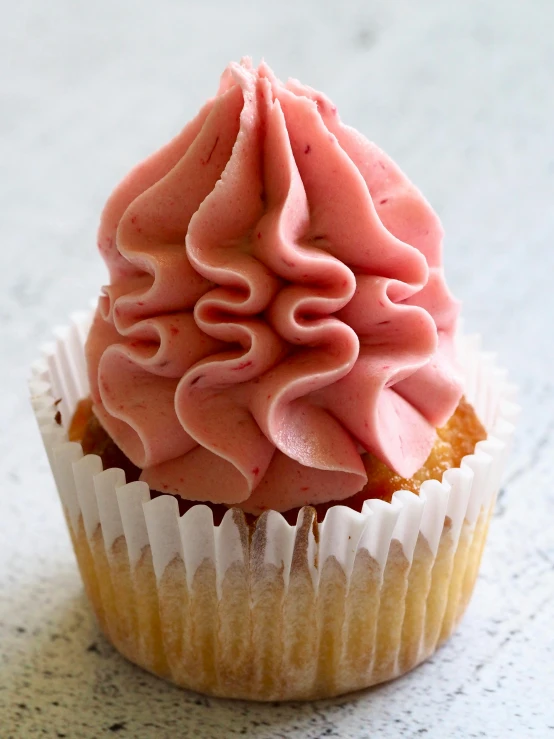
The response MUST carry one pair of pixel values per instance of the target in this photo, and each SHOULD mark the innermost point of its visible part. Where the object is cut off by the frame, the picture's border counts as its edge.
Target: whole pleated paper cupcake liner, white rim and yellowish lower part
(279, 611)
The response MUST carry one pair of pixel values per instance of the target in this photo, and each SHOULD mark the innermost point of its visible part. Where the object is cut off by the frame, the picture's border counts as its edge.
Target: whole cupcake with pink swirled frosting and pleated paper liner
(276, 457)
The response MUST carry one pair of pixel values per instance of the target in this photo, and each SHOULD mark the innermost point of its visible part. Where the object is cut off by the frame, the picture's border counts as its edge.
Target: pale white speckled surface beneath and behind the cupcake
(460, 94)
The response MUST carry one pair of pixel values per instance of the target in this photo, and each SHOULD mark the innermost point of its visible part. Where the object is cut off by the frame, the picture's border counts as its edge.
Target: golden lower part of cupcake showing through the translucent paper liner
(260, 639)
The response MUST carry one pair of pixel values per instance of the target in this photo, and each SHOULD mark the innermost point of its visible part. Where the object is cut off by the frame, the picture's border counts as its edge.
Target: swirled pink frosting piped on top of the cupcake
(276, 306)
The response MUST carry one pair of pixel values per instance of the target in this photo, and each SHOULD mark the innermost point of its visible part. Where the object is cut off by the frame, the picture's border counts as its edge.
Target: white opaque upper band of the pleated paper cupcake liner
(102, 499)
